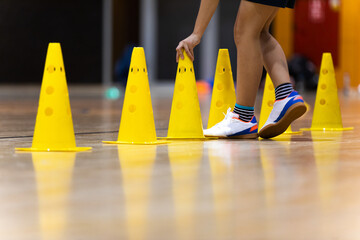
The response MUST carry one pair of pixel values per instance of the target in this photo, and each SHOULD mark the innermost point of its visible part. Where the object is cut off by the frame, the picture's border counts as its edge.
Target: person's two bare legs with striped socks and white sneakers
(255, 46)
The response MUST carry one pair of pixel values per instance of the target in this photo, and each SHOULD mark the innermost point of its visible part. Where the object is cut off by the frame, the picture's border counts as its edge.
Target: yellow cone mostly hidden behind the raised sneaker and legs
(268, 103)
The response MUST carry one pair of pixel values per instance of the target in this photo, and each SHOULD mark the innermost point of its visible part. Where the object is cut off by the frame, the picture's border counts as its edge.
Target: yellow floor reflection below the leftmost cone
(53, 178)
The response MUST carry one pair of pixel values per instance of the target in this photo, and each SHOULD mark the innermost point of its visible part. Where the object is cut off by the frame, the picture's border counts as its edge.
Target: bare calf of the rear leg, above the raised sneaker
(273, 56)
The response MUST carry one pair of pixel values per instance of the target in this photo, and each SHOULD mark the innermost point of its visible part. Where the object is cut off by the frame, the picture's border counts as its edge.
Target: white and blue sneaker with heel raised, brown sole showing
(285, 111)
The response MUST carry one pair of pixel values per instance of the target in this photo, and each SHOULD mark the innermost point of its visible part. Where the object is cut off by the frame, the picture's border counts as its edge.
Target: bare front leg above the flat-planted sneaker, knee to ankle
(250, 23)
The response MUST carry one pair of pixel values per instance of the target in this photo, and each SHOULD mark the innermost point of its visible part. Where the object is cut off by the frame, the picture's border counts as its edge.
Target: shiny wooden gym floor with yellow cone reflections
(296, 187)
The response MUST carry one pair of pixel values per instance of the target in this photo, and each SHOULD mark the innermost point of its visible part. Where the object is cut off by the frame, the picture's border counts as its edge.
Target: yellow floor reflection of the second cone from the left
(137, 163)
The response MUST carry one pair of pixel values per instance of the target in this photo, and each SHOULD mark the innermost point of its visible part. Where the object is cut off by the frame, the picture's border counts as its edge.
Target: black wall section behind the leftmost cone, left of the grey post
(26, 28)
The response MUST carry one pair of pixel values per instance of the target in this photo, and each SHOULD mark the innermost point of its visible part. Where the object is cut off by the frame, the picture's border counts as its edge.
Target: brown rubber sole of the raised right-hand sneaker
(275, 129)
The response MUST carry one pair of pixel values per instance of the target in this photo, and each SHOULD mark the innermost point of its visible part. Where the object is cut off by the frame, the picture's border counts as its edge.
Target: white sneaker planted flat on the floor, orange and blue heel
(233, 127)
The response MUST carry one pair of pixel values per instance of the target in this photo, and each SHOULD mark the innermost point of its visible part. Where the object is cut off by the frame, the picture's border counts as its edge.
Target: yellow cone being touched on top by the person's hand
(185, 118)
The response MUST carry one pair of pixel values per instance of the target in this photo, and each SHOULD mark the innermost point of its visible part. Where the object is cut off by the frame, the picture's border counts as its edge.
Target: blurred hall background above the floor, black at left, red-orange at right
(97, 37)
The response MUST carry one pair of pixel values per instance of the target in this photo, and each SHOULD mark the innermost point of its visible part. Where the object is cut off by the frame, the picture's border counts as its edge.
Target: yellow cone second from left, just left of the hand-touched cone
(137, 124)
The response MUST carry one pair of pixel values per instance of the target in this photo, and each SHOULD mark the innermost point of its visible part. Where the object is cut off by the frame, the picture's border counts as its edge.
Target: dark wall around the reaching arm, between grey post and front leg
(176, 21)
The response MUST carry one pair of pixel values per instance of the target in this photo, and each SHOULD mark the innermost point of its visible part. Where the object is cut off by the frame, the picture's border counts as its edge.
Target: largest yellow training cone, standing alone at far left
(54, 131)
